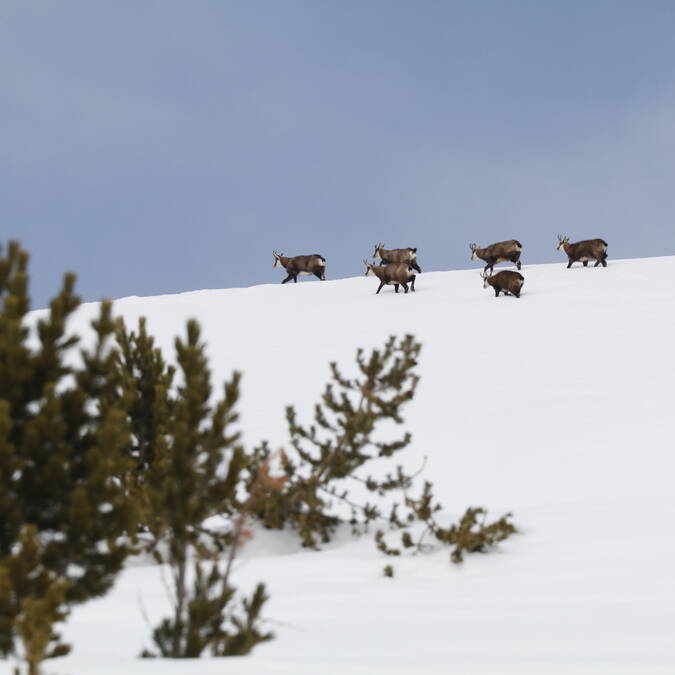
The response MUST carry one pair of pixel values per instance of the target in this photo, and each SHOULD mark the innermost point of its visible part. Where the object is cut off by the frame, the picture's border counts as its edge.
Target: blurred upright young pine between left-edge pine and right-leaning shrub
(190, 463)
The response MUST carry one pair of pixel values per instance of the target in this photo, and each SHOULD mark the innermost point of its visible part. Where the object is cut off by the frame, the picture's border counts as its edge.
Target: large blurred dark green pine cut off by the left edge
(63, 436)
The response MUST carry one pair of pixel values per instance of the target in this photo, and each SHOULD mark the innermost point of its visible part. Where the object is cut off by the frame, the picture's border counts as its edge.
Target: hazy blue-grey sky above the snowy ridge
(159, 146)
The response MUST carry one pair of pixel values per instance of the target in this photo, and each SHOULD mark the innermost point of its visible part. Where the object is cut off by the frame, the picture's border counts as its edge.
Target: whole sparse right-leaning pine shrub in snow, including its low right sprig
(334, 450)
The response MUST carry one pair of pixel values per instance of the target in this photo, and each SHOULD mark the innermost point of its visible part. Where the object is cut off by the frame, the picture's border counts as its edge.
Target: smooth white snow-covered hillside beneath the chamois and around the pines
(557, 406)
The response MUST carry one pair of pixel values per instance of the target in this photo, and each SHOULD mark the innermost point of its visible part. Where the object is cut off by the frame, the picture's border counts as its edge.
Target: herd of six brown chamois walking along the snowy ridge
(398, 266)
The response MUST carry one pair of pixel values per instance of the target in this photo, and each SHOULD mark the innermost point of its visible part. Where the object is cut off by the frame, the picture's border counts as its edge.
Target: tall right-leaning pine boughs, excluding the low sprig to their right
(339, 444)
